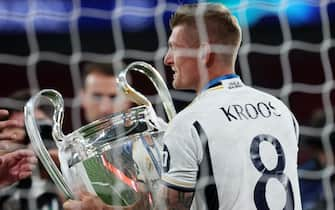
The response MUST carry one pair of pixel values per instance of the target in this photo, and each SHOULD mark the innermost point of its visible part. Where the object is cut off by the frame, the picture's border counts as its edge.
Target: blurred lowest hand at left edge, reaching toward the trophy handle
(16, 165)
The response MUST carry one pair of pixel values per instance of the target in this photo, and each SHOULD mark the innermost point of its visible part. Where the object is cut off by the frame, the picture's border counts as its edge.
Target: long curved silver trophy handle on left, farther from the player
(33, 132)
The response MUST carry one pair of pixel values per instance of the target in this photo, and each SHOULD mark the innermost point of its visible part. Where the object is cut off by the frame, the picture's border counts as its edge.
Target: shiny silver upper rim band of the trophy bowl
(102, 134)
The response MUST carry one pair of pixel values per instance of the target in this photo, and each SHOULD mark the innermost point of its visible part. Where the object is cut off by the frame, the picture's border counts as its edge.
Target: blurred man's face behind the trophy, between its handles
(100, 96)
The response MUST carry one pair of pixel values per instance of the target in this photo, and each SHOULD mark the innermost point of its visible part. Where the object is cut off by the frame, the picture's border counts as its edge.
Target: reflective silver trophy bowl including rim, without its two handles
(116, 158)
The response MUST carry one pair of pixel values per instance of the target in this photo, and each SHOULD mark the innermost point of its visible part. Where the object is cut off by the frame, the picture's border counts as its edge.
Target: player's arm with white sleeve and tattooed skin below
(181, 158)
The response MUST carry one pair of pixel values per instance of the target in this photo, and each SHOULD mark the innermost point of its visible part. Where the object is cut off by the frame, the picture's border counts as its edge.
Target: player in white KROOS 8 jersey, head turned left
(234, 147)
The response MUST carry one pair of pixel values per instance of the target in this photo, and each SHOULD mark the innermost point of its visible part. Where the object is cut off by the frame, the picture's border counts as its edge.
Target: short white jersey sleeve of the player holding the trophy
(182, 154)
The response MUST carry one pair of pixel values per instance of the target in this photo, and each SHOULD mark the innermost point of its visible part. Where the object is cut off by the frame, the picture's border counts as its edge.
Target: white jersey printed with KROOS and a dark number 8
(251, 148)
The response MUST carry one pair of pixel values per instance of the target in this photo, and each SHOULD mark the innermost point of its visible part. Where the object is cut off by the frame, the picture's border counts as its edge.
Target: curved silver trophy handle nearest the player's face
(155, 78)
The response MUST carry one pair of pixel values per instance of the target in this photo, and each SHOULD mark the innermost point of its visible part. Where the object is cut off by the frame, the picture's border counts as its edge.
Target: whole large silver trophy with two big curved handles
(117, 157)
